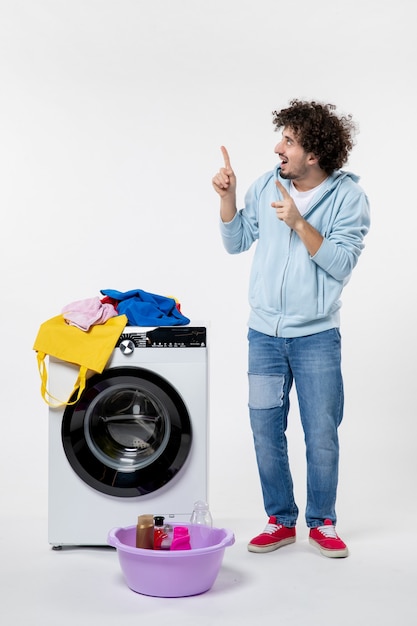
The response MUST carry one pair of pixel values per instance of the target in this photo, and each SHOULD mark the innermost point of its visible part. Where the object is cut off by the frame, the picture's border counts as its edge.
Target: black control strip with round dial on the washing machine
(162, 337)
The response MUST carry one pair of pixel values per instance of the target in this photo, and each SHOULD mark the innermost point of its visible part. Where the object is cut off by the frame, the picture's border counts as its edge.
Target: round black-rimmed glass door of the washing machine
(129, 434)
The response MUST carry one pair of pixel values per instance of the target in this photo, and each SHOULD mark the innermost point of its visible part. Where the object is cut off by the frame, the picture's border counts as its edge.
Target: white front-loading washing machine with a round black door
(137, 439)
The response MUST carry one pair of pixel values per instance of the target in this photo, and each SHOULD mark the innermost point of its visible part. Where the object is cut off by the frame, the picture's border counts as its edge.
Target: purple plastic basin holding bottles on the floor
(176, 573)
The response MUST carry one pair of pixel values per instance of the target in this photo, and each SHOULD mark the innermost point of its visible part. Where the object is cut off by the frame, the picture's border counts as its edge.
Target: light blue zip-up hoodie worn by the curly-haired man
(291, 293)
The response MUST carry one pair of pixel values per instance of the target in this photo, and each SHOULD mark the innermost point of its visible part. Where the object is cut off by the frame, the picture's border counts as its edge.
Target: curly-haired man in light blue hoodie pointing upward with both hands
(309, 219)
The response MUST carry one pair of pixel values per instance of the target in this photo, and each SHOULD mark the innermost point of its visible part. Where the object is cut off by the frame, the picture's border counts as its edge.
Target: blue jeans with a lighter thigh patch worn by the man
(314, 364)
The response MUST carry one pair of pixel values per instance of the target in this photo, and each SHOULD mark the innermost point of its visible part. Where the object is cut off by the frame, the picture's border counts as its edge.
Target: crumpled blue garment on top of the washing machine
(147, 309)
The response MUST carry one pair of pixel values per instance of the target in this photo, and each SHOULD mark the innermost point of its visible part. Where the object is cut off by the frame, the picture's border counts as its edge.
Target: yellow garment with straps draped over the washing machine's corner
(89, 349)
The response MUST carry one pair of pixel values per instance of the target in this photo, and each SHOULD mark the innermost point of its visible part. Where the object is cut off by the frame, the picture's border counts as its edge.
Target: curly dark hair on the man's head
(319, 130)
